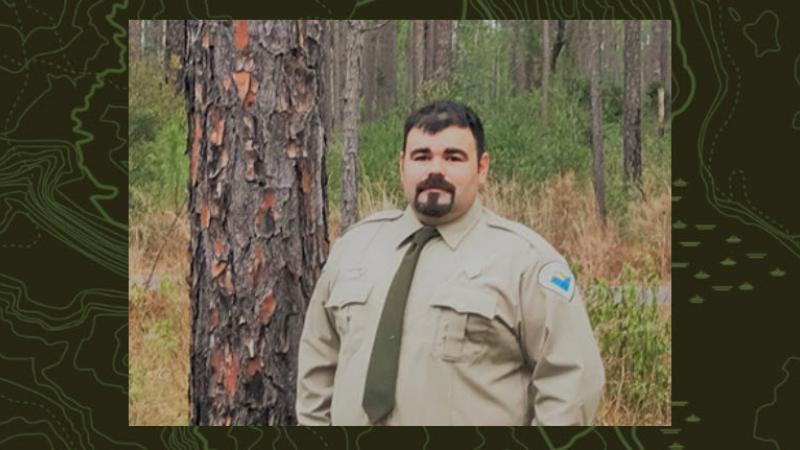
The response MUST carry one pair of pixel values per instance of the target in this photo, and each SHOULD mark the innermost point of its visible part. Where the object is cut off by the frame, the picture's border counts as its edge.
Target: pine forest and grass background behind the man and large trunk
(531, 82)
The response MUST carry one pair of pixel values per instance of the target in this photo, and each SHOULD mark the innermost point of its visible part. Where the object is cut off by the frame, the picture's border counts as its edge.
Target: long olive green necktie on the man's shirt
(382, 371)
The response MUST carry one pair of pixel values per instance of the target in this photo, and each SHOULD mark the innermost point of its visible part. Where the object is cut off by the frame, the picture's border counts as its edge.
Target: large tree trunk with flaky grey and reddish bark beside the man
(257, 211)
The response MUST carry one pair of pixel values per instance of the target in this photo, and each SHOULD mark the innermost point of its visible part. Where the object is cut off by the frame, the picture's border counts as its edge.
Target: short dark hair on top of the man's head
(441, 114)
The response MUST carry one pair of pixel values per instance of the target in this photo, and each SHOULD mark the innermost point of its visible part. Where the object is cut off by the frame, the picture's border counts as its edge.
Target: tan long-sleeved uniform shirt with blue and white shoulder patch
(495, 331)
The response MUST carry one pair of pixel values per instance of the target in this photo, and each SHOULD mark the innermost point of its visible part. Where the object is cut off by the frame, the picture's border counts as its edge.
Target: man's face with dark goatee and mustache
(439, 173)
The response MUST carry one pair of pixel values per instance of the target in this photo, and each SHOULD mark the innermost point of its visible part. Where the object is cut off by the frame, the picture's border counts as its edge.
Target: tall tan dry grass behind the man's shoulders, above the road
(564, 214)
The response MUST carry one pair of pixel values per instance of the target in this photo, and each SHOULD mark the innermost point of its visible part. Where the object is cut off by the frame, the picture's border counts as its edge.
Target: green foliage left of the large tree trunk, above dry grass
(157, 141)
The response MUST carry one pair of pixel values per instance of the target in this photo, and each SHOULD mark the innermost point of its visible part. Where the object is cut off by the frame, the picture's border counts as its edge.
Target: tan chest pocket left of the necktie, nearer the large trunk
(347, 303)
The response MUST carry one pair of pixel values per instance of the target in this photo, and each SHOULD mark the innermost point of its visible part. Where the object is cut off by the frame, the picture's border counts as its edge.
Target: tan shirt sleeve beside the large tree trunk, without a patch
(318, 354)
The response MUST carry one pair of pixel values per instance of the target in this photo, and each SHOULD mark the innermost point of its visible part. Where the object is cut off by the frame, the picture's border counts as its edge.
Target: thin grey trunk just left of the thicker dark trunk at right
(598, 171)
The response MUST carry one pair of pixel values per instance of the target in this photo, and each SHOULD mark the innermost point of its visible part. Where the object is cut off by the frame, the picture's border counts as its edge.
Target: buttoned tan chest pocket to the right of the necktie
(467, 323)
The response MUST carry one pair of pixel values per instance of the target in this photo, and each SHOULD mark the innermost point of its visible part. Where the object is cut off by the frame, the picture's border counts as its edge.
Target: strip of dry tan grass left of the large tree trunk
(158, 320)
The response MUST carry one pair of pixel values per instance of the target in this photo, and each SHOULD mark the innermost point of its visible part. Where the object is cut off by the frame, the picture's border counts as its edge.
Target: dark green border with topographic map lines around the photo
(63, 227)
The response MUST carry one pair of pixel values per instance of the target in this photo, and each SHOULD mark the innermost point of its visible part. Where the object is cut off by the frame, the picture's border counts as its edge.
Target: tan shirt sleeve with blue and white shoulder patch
(568, 375)
